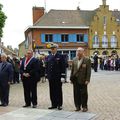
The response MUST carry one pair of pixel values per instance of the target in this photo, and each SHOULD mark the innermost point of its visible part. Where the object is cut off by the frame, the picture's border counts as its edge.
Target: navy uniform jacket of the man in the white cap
(55, 66)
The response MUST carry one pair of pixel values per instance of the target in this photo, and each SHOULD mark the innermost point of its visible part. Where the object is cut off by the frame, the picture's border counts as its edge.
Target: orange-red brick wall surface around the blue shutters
(38, 32)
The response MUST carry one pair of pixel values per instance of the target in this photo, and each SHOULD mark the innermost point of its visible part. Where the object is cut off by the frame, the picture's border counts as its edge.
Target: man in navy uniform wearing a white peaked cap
(55, 69)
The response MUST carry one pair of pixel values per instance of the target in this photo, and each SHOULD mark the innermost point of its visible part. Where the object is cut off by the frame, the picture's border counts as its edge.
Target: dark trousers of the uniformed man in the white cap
(56, 97)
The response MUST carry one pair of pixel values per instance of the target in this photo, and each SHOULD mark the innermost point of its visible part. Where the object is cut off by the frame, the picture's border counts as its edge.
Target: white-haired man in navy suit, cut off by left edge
(6, 76)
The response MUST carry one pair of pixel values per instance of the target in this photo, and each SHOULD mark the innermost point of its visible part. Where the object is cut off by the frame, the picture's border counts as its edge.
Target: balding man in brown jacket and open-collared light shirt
(81, 70)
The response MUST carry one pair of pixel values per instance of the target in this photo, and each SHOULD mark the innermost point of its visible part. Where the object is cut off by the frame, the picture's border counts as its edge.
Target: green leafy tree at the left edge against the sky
(2, 20)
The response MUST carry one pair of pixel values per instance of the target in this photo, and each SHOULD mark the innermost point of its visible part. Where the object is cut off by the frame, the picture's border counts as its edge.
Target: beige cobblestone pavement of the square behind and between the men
(104, 96)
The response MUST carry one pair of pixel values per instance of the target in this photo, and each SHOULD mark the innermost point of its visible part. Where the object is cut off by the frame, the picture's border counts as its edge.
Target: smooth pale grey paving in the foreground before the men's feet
(40, 114)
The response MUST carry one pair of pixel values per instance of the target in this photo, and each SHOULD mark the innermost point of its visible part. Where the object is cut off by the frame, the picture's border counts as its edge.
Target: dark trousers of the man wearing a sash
(30, 91)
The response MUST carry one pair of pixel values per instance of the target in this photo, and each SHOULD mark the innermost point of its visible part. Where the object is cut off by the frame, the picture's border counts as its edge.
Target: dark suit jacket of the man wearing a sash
(32, 68)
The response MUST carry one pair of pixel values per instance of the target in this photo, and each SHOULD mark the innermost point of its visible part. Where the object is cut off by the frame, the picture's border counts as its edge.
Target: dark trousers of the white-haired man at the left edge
(4, 95)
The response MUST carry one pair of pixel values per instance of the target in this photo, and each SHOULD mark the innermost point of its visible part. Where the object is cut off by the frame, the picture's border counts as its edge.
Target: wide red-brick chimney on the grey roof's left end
(37, 13)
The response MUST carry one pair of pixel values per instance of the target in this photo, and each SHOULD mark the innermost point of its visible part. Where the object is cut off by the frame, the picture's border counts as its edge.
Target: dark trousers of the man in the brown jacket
(80, 95)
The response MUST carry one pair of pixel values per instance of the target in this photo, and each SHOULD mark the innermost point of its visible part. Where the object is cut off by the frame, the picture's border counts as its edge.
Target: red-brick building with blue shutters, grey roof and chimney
(64, 27)
